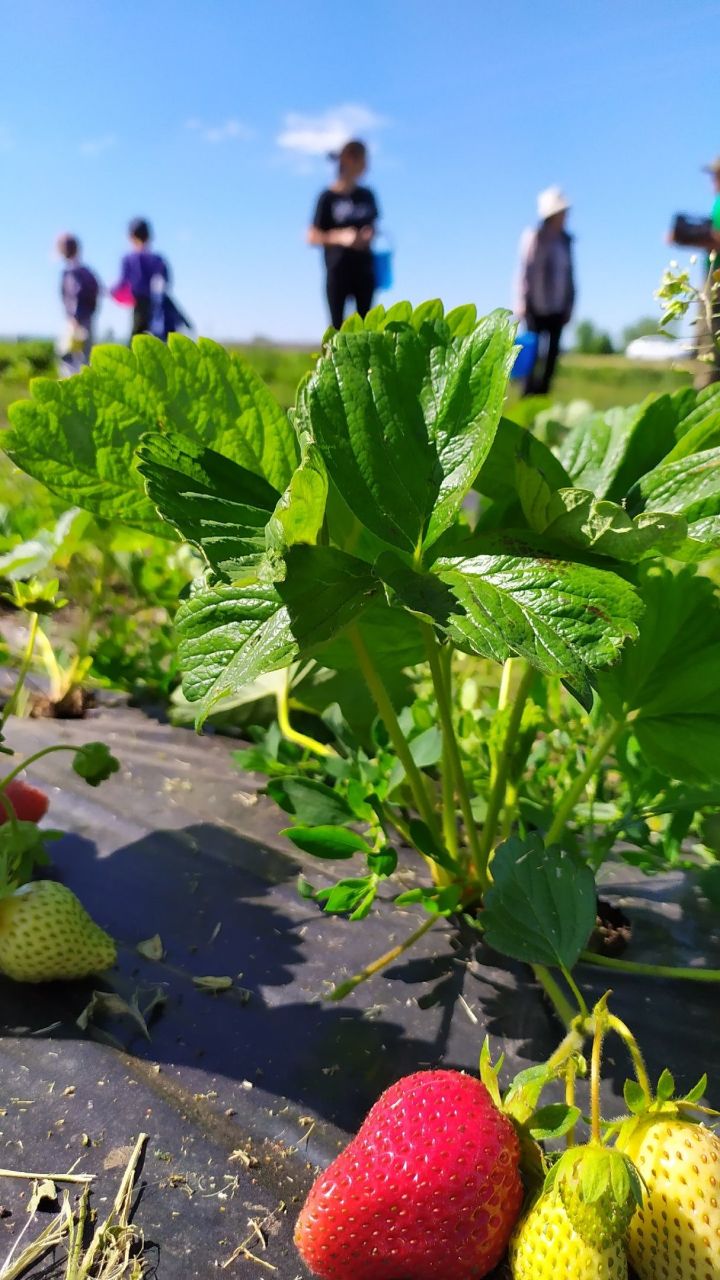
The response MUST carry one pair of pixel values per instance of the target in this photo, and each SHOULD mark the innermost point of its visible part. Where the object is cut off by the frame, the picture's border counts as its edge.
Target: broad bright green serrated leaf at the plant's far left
(80, 436)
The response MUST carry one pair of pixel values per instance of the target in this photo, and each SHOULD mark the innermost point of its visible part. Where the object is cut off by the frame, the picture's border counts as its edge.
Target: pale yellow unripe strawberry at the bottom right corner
(676, 1235)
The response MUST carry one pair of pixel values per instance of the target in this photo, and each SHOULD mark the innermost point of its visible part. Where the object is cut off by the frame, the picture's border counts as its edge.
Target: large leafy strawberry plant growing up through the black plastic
(394, 523)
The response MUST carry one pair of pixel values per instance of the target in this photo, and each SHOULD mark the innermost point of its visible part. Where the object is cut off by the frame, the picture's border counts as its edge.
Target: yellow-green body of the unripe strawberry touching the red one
(548, 1247)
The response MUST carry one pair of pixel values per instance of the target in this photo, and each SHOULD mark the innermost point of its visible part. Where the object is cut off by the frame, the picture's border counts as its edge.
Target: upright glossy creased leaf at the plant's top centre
(404, 418)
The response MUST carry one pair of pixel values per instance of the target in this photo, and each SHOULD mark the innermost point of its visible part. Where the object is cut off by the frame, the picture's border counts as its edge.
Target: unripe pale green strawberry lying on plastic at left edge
(47, 936)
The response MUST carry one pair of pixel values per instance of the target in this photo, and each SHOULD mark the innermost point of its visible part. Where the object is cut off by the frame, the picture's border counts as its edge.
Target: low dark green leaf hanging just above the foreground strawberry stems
(541, 907)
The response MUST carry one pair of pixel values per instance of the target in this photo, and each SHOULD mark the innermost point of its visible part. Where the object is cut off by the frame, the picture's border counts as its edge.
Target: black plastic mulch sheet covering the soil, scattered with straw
(245, 1092)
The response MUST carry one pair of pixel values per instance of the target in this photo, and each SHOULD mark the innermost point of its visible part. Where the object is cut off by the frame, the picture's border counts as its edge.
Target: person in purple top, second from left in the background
(144, 282)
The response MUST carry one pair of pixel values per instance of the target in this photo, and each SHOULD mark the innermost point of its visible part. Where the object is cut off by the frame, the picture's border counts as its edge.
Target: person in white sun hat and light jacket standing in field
(546, 285)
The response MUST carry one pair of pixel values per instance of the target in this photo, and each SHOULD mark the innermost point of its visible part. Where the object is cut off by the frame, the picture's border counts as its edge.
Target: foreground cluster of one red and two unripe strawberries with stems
(448, 1172)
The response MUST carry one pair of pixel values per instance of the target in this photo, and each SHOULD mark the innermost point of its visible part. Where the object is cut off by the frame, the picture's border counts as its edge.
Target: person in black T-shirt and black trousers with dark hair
(344, 226)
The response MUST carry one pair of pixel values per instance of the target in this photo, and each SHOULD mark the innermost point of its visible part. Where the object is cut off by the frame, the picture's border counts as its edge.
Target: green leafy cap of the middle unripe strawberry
(600, 1191)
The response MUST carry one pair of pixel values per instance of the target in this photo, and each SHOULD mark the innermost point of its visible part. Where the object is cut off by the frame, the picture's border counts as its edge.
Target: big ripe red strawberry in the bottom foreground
(429, 1188)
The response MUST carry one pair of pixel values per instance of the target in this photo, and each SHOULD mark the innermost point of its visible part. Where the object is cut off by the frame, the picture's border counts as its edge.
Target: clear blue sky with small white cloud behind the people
(212, 118)
